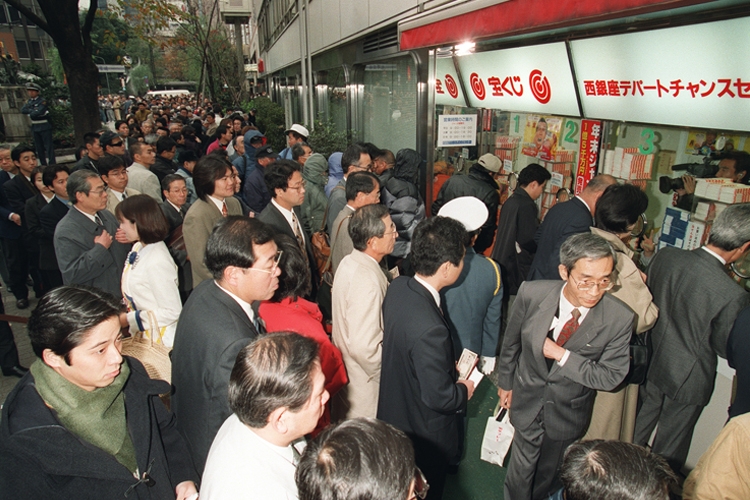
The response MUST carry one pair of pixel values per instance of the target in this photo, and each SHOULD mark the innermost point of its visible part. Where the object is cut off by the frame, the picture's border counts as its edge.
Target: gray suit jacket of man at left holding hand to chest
(83, 262)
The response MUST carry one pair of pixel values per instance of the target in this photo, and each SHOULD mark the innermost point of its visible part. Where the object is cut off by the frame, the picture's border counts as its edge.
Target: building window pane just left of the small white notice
(389, 104)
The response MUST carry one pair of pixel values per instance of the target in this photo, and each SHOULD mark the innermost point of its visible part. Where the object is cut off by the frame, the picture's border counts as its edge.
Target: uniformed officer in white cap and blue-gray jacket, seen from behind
(473, 303)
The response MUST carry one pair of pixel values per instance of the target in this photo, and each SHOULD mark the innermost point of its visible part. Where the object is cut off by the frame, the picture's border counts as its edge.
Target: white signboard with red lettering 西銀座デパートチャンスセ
(696, 75)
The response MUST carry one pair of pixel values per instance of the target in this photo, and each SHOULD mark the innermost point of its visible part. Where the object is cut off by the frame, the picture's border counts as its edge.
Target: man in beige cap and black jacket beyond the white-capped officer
(480, 183)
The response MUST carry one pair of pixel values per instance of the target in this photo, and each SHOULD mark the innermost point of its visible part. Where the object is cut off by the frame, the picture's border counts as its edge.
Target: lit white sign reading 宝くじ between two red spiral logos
(533, 79)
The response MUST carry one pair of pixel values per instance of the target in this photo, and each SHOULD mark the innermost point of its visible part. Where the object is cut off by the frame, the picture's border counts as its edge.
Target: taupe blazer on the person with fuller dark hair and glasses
(199, 221)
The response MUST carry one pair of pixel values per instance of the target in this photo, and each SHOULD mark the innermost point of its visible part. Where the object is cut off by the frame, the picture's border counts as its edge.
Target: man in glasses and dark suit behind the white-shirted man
(216, 322)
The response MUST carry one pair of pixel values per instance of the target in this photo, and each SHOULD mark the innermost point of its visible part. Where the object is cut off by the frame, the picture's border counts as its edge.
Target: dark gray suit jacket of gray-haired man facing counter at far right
(695, 318)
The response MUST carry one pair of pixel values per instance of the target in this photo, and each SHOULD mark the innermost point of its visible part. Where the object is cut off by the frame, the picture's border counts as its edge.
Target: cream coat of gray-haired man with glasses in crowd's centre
(358, 292)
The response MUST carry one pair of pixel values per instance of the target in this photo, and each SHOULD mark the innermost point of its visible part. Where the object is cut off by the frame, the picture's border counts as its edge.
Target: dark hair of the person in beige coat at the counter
(619, 206)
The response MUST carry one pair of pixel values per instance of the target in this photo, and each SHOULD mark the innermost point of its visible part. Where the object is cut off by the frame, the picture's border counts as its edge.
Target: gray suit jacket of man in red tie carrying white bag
(599, 360)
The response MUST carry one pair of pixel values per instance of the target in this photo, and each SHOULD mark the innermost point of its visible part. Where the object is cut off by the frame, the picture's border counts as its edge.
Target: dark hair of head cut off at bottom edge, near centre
(361, 458)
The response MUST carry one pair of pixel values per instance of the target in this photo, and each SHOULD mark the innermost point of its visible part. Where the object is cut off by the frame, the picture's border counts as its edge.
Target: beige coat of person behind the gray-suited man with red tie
(613, 416)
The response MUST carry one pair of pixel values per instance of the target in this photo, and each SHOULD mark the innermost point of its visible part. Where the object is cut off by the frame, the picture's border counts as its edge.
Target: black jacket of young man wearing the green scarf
(39, 458)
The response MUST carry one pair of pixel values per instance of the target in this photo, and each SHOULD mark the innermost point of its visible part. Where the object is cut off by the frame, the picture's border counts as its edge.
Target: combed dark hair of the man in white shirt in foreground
(274, 371)
